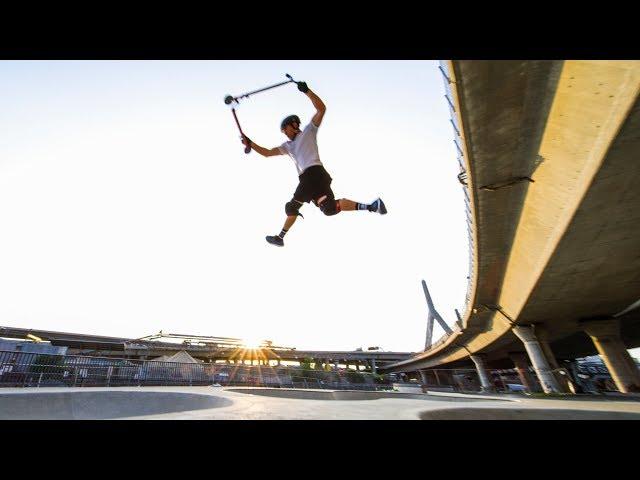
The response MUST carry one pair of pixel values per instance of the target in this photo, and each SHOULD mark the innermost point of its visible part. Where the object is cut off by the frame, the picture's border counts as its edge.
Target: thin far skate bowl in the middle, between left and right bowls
(310, 394)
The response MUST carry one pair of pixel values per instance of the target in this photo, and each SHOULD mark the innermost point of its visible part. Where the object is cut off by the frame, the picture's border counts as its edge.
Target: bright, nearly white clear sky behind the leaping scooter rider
(128, 206)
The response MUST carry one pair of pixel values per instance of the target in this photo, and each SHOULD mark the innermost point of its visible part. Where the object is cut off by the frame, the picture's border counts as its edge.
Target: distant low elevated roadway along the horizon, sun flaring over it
(202, 348)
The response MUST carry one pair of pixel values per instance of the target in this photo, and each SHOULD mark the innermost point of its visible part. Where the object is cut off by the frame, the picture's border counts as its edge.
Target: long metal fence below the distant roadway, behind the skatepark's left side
(20, 369)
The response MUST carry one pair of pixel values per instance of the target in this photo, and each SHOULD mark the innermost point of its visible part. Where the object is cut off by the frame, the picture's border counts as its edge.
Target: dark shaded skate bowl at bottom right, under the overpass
(526, 414)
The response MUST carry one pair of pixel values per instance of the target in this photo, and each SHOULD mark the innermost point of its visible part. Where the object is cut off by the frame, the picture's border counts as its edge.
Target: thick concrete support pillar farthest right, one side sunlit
(605, 335)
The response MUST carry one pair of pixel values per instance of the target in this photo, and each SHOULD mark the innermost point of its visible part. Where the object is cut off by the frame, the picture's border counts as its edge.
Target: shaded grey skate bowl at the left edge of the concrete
(101, 404)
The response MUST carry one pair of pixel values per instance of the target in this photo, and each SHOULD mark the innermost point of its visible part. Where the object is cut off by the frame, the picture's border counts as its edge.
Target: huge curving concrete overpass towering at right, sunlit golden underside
(550, 157)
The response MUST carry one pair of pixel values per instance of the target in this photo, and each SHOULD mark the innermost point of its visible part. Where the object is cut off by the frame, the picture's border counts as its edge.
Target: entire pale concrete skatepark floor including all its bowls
(244, 403)
